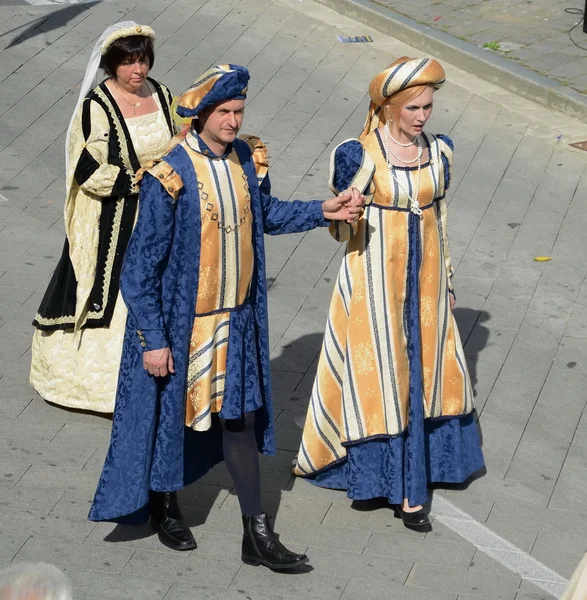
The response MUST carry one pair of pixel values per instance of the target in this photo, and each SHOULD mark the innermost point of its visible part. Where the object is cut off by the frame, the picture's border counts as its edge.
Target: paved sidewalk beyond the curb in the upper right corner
(535, 33)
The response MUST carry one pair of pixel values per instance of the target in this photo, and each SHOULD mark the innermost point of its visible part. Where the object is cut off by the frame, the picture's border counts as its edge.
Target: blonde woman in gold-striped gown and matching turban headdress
(392, 406)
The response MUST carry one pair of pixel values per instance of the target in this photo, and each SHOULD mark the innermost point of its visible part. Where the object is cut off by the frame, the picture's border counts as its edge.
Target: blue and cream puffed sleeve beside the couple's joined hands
(350, 166)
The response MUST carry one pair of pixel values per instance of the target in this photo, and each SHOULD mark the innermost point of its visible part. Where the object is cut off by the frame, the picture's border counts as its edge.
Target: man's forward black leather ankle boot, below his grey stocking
(261, 546)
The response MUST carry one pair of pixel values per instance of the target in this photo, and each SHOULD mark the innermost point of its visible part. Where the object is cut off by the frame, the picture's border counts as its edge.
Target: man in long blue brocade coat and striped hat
(194, 382)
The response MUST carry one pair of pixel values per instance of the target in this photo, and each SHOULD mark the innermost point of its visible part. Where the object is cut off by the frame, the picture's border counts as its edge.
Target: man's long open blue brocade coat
(159, 282)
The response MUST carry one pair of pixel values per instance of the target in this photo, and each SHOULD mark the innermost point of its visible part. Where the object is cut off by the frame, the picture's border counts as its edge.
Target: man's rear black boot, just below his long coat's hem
(167, 520)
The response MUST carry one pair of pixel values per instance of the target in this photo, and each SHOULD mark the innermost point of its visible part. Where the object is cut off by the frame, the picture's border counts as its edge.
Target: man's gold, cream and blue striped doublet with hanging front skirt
(225, 273)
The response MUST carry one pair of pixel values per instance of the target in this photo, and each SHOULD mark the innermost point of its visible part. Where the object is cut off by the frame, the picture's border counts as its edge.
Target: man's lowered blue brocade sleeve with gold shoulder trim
(147, 253)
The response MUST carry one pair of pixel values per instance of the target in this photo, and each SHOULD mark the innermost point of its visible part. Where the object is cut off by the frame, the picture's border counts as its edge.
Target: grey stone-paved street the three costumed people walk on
(518, 191)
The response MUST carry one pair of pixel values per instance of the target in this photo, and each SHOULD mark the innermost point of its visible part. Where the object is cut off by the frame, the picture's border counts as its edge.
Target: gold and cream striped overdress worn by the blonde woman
(365, 380)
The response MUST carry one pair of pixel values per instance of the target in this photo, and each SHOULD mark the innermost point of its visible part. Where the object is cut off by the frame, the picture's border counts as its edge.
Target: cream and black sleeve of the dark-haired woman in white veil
(93, 173)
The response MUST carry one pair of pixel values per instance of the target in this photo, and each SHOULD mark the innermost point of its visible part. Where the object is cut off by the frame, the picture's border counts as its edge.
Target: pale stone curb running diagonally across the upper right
(483, 63)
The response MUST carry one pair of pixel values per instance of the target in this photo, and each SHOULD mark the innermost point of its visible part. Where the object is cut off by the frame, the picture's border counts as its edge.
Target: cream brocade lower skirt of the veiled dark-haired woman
(80, 372)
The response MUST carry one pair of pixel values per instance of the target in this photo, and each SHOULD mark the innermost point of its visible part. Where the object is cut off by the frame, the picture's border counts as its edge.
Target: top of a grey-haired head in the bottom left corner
(24, 581)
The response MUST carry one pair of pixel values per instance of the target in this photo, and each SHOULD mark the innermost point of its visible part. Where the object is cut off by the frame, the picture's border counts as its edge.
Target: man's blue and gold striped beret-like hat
(220, 83)
